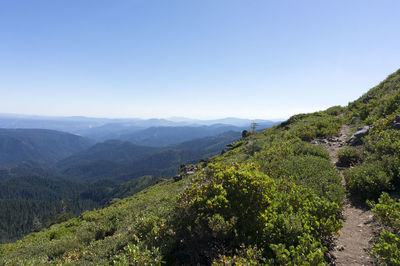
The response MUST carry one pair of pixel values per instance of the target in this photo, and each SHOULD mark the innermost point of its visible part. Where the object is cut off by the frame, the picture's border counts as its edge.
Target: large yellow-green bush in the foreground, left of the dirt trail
(228, 207)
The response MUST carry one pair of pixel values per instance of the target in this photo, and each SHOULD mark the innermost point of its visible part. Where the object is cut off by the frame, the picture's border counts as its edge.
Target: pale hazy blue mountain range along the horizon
(101, 129)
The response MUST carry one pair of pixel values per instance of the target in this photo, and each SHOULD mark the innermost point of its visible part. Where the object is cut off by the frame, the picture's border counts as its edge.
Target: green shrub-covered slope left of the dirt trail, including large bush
(194, 220)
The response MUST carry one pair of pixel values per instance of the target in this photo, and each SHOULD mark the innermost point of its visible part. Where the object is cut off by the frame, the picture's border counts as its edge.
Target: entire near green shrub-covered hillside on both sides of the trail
(273, 198)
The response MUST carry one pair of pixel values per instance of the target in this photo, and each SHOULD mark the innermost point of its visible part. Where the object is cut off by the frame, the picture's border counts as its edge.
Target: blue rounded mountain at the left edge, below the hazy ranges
(17, 145)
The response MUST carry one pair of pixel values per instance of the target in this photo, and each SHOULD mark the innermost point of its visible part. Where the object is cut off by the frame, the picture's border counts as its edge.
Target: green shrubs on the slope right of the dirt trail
(376, 171)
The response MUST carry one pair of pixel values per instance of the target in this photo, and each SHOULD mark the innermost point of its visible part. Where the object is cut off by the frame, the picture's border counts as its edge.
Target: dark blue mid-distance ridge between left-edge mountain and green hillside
(123, 161)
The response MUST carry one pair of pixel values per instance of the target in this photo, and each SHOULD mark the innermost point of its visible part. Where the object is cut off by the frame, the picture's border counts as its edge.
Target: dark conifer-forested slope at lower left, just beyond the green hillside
(30, 203)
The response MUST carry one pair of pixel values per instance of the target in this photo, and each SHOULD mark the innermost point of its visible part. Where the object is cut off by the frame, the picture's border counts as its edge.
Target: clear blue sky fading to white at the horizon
(192, 58)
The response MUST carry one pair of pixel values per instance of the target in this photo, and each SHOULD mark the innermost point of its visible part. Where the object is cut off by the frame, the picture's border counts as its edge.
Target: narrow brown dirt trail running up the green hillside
(351, 247)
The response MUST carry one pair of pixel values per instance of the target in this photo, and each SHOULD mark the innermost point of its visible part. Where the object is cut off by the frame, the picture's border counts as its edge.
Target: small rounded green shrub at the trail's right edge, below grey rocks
(368, 180)
